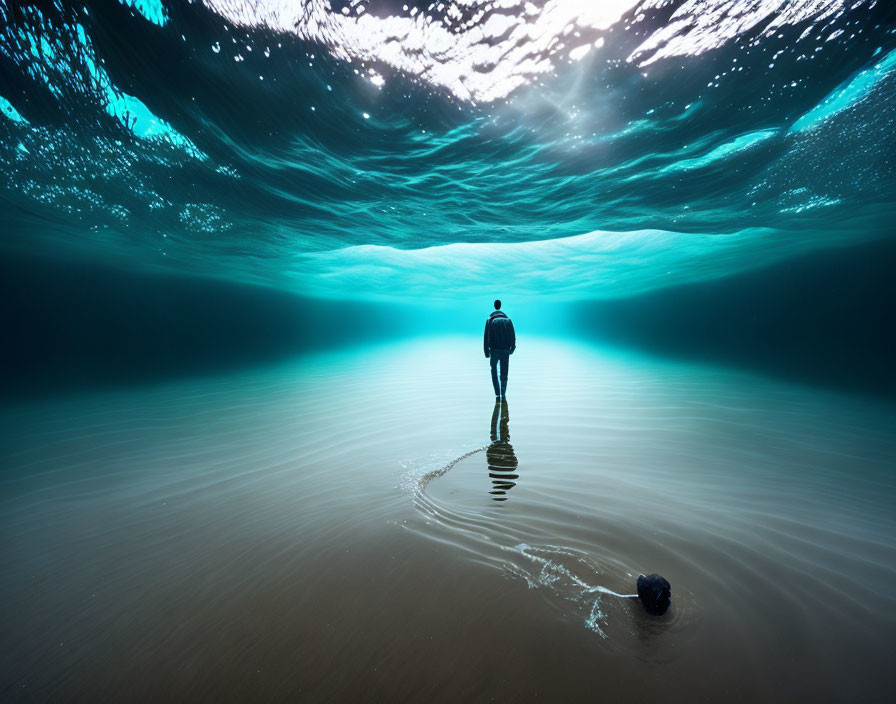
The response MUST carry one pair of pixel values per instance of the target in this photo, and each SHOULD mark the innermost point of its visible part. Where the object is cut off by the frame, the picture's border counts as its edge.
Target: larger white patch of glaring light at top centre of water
(481, 51)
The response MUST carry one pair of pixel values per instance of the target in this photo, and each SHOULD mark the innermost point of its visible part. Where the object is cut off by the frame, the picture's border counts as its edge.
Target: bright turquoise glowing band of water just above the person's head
(595, 265)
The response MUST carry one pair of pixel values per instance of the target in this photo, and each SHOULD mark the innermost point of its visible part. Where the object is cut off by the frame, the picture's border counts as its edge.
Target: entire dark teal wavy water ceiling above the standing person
(572, 150)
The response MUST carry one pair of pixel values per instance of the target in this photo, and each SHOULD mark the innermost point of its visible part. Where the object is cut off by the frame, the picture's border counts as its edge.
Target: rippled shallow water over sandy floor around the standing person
(286, 533)
